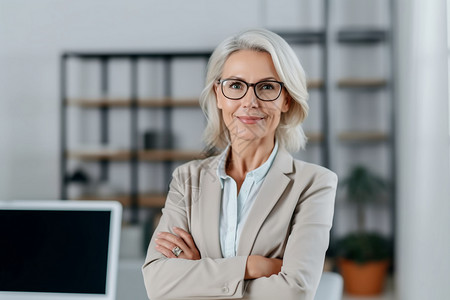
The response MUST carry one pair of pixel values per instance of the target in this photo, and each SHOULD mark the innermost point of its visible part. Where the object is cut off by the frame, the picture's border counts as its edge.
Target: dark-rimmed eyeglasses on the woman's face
(266, 90)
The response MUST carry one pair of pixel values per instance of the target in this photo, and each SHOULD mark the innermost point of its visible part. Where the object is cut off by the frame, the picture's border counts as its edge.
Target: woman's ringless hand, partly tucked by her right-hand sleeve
(260, 266)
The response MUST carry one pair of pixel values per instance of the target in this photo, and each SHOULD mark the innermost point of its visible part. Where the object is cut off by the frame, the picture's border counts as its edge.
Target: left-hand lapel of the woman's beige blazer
(210, 200)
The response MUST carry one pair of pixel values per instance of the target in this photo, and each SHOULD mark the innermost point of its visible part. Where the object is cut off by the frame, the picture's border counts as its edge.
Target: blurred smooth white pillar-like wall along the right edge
(423, 206)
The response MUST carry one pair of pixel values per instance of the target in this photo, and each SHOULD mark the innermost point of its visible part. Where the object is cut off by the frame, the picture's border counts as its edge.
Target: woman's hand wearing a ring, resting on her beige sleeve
(166, 242)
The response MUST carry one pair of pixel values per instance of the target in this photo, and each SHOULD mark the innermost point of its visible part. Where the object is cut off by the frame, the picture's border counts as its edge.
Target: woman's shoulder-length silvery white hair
(289, 133)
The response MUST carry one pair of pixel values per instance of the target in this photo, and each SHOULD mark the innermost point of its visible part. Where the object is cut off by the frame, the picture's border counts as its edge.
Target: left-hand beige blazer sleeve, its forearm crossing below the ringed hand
(207, 278)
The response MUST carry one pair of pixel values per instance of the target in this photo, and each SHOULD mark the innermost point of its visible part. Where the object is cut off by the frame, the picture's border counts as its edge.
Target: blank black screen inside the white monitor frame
(54, 251)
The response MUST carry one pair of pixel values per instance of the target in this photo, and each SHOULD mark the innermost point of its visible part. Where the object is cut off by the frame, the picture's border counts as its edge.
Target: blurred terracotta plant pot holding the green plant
(363, 279)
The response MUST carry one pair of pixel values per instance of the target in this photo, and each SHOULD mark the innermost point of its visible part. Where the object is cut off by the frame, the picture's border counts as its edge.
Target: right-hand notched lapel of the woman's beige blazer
(273, 187)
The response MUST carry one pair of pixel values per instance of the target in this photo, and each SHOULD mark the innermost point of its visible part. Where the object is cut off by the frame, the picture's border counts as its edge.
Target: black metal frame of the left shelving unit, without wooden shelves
(105, 58)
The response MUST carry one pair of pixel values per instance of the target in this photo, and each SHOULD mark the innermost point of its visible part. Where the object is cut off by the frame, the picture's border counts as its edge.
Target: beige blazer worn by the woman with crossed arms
(290, 219)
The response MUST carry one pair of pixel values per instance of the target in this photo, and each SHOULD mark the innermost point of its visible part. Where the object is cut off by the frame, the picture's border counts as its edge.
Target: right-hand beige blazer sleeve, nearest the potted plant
(305, 250)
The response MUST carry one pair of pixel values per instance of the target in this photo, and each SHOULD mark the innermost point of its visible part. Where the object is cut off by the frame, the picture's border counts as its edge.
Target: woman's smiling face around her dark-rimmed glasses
(249, 118)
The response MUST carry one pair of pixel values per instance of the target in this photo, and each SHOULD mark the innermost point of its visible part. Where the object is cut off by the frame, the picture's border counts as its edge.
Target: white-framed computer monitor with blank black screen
(65, 250)
